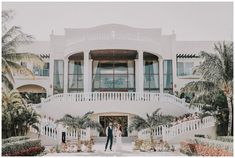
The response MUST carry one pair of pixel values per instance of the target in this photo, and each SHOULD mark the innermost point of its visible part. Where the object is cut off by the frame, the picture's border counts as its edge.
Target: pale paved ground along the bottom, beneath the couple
(126, 151)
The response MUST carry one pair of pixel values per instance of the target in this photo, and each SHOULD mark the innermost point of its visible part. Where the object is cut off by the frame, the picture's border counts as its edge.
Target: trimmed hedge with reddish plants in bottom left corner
(28, 147)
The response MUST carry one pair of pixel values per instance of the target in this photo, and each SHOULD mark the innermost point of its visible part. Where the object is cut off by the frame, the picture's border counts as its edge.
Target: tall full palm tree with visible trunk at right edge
(217, 74)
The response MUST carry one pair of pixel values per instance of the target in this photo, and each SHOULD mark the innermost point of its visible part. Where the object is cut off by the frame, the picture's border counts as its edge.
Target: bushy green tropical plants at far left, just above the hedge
(16, 116)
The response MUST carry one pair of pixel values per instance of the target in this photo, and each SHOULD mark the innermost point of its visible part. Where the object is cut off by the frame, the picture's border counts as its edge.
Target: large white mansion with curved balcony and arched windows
(116, 71)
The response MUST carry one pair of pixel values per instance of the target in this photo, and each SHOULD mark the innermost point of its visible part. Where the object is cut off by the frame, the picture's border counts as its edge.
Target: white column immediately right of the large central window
(140, 74)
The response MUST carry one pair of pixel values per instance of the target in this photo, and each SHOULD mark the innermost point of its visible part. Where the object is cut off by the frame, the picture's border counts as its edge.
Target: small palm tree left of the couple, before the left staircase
(80, 122)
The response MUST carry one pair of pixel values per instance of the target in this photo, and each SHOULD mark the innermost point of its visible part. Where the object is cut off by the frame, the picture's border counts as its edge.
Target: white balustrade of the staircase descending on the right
(168, 133)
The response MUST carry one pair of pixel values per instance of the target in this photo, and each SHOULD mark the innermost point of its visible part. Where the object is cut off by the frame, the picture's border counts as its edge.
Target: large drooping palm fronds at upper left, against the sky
(11, 39)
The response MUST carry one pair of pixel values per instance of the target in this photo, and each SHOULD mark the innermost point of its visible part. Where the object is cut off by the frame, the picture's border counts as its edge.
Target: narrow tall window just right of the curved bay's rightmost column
(167, 75)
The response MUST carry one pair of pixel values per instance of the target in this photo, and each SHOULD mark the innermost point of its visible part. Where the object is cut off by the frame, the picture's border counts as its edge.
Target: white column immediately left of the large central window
(87, 78)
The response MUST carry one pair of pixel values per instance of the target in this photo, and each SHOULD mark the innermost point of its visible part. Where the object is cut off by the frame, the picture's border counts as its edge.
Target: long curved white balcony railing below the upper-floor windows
(115, 96)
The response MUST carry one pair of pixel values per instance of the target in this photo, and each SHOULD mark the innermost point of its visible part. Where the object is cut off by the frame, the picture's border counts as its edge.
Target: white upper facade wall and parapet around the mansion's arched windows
(114, 36)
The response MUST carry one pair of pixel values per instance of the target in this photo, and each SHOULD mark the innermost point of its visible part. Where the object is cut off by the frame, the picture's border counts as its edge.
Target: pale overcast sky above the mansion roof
(190, 21)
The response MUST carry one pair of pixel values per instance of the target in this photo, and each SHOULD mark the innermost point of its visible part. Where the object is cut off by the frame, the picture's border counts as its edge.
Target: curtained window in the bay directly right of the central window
(151, 75)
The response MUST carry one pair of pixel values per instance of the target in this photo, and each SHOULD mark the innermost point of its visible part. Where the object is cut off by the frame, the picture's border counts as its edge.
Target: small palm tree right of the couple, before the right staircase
(151, 122)
